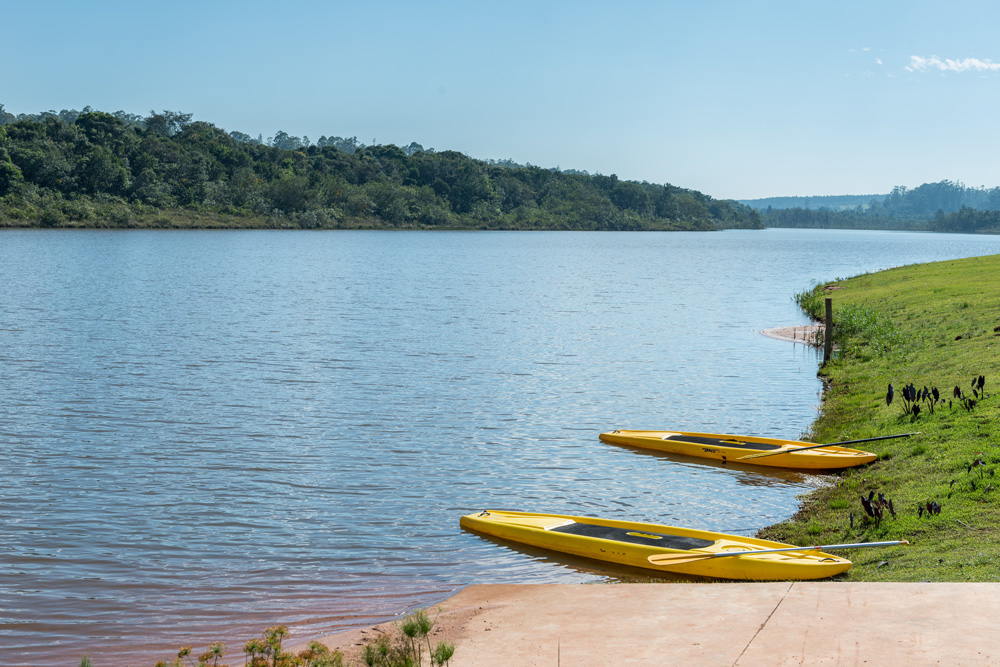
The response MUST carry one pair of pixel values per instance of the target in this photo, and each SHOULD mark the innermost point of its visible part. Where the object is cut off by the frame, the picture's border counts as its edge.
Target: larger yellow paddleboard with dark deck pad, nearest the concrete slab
(629, 543)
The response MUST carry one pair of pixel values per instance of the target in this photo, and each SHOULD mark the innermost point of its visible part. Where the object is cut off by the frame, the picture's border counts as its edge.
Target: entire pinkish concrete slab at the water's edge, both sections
(731, 624)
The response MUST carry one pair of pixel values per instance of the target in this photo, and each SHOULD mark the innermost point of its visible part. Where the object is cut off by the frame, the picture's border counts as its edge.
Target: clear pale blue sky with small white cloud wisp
(736, 99)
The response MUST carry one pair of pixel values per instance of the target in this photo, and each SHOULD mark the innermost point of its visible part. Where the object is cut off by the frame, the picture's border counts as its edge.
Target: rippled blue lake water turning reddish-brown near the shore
(205, 433)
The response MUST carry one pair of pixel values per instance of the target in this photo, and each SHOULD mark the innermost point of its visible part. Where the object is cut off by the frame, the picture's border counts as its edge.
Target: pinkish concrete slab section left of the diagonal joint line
(586, 624)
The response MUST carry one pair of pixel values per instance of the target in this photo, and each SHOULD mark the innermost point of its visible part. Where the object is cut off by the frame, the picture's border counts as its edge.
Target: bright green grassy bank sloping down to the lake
(930, 325)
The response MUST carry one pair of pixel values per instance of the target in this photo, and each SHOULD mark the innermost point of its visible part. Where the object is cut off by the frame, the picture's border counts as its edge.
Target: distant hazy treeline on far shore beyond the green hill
(947, 206)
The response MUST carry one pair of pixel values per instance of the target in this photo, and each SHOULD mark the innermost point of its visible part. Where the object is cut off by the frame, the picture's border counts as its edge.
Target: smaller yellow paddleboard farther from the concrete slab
(744, 449)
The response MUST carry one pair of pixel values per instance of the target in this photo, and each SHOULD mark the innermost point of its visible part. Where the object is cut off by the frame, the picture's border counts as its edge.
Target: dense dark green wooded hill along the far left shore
(96, 169)
